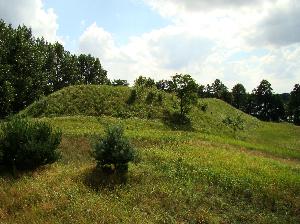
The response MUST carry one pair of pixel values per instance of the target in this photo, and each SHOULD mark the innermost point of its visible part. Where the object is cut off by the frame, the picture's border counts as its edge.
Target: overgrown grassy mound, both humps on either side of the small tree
(112, 101)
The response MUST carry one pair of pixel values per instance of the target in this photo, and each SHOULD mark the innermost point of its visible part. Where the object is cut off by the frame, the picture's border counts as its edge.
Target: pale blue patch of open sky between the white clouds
(122, 18)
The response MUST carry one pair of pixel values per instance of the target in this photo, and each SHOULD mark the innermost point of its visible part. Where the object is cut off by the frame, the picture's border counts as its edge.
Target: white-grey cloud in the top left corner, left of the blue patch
(33, 14)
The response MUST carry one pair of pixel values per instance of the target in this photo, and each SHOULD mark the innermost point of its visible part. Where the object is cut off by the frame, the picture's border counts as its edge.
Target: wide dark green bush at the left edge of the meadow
(26, 145)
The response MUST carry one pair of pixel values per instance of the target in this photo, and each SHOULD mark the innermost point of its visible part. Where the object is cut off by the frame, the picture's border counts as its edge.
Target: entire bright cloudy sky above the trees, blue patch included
(233, 40)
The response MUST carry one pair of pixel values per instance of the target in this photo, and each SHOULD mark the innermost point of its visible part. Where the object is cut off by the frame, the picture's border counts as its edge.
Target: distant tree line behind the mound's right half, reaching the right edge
(262, 102)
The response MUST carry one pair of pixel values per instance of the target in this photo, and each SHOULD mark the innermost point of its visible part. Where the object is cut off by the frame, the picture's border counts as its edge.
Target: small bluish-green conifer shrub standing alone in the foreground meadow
(113, 152)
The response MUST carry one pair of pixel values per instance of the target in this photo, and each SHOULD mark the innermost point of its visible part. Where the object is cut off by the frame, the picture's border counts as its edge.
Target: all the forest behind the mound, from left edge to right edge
(32, 67)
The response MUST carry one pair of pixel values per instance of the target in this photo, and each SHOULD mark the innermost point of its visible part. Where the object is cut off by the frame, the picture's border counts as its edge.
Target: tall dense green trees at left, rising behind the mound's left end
(31, 67)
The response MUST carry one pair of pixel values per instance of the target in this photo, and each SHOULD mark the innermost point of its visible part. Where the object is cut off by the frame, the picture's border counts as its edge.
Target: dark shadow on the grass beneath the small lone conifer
(97, 179)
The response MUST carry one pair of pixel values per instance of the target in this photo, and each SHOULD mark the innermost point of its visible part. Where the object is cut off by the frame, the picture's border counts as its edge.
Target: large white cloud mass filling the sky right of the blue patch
(208, 44)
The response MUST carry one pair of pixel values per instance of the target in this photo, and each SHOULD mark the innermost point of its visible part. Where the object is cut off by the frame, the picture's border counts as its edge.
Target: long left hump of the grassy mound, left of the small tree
(95, 100)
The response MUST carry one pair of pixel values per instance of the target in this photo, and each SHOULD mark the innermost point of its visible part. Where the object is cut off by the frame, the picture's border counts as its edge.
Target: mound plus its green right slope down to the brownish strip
(102, 100)
